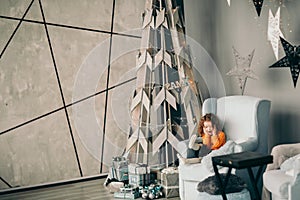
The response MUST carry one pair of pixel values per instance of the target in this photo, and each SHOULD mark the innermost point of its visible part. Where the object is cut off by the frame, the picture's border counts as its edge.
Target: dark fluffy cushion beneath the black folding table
(211, 185)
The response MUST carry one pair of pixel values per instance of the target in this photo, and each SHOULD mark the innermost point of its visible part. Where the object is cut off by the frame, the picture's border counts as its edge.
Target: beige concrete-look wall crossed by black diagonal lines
(43, 46)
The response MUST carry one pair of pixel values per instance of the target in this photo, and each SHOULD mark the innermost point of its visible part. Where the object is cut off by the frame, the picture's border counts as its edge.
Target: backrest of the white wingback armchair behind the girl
(244, 119)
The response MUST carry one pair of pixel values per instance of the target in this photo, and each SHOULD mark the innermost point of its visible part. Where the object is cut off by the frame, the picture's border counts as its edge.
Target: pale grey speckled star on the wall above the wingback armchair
(242, 69)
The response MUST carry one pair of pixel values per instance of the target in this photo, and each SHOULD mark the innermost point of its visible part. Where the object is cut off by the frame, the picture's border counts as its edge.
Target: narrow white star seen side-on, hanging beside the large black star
(273, 31)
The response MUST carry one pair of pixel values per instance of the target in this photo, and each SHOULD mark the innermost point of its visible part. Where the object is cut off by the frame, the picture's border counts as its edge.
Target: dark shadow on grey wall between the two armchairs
(284, 128)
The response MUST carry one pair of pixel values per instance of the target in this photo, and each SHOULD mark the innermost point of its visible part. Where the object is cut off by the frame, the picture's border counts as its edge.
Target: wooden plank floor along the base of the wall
(90, 190)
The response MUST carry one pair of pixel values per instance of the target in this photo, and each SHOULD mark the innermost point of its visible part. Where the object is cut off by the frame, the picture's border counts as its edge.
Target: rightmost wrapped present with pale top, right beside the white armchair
(169, 177)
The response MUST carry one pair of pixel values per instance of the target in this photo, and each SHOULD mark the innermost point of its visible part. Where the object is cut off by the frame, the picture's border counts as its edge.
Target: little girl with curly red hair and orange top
(212, 139)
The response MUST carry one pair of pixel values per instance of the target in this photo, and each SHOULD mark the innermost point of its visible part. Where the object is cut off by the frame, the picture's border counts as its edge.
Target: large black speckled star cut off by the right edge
(291, 60)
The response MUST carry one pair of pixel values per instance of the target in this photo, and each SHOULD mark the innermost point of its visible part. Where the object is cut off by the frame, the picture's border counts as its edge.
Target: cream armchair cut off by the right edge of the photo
(282, 178)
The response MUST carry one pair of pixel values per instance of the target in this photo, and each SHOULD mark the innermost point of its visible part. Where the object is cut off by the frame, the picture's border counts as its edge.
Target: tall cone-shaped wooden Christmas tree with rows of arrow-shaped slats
(166, 106)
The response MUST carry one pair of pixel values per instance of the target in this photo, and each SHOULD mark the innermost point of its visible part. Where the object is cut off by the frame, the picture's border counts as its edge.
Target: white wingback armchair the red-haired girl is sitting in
(245, 121)
